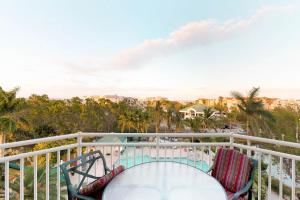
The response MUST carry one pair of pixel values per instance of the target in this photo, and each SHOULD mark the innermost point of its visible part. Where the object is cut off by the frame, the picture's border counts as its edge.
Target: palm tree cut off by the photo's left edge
(9, 118)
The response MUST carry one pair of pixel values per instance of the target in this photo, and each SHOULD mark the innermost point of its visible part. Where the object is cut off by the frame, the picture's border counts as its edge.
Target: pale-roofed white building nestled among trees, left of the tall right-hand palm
(196, 111)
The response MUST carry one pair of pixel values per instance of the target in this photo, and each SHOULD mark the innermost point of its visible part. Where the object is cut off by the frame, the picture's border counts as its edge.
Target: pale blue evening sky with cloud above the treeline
(180, 49)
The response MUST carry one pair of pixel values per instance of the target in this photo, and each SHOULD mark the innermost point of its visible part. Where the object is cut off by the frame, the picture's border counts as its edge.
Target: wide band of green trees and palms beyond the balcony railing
(39, 116)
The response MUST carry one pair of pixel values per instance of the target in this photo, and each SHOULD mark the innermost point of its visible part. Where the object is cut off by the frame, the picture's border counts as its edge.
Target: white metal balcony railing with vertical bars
(281, 165)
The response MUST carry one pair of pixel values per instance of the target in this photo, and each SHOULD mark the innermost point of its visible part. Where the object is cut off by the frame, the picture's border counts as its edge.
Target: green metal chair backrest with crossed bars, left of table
(77, 166)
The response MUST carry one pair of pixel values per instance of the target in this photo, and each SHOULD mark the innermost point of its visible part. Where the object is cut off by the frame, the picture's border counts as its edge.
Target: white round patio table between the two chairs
(163, 181)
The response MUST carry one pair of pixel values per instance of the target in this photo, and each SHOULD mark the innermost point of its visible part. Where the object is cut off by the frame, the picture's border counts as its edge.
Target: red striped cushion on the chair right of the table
(232, 169)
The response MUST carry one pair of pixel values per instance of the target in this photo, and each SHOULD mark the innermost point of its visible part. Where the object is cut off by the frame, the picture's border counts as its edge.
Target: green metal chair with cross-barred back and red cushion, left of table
(82, 166)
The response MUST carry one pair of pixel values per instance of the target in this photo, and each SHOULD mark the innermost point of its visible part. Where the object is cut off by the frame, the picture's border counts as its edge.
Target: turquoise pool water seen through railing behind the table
(130, 162)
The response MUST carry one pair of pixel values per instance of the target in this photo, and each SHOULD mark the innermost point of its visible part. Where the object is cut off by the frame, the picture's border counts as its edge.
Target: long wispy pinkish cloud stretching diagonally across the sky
(188, 36)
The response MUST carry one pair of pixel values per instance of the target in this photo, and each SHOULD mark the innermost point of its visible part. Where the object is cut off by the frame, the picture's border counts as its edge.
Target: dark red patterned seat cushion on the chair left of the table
(95, 188)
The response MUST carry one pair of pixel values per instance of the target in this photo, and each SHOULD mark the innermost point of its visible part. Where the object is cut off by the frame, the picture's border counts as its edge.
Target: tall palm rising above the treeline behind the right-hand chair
(253, 110)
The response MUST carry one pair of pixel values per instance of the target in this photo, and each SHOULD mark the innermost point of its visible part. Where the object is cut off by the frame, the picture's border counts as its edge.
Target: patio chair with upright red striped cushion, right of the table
(235, 171)
